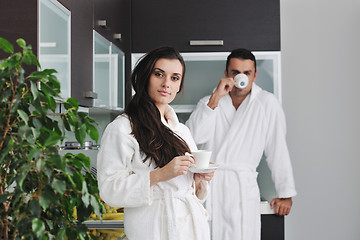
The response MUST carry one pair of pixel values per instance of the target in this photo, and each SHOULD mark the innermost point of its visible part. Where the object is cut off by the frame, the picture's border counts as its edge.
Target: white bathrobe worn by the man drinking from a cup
(238, 139)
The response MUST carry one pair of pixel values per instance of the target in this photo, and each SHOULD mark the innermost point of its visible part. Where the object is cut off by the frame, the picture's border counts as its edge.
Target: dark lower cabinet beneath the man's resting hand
(272, 227)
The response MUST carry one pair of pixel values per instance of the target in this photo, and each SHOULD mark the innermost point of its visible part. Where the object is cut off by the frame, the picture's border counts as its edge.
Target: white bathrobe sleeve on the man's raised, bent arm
(202, 122)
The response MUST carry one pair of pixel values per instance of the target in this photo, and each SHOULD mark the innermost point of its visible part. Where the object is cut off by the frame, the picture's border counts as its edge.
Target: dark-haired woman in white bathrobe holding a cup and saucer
(143, 162)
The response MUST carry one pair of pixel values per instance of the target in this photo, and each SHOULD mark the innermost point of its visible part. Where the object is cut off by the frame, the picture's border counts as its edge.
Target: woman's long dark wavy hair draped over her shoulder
(159, 143)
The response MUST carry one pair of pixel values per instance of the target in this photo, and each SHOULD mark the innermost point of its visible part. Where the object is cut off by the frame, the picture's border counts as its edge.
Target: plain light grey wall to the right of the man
(321, 98)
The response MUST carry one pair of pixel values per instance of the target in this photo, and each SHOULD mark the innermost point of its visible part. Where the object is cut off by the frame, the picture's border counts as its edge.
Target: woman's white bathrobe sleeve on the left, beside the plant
(120, 182)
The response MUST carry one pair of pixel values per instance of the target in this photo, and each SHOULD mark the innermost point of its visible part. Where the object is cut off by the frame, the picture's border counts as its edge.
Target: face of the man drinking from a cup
(245, 66)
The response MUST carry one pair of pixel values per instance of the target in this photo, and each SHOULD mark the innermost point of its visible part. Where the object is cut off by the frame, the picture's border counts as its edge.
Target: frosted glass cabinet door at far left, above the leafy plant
(54, 42)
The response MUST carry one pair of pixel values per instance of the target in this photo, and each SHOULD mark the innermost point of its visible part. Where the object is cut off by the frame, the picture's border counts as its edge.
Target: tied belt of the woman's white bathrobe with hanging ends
(189, 199)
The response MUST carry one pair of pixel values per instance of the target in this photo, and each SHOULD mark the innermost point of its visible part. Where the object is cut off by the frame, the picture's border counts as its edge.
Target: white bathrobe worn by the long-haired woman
(166, 211)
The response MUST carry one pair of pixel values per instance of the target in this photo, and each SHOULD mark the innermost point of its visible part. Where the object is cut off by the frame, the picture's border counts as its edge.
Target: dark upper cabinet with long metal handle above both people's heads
(206, 25)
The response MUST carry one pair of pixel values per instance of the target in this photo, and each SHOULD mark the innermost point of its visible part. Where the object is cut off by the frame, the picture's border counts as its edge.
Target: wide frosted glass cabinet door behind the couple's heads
(204, 70)
